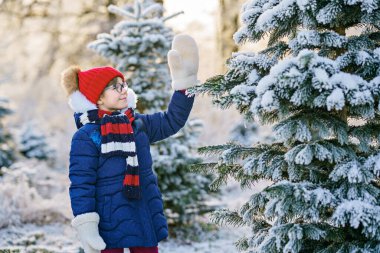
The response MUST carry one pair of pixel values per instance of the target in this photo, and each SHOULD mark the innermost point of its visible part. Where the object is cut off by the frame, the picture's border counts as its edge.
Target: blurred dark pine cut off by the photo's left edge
(6, 149)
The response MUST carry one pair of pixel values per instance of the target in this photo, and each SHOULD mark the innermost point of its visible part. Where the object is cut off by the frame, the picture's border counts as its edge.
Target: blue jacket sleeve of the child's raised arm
(161, 125)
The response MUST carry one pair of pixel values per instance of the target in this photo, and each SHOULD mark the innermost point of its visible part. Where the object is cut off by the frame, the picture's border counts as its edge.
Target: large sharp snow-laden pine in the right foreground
(318, 83)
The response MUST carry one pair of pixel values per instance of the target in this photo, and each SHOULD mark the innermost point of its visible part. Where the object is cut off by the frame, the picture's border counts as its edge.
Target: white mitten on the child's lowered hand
(88, 233)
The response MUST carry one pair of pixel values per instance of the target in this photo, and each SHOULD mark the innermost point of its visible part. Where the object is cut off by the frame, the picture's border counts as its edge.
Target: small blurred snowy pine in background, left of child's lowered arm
(32, 143)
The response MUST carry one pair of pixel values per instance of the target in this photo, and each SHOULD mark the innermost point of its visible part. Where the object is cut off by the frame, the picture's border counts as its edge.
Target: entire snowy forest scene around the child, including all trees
(310, 186)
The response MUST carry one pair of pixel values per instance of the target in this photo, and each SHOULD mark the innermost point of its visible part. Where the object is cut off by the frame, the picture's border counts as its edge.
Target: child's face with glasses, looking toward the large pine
(114, 96)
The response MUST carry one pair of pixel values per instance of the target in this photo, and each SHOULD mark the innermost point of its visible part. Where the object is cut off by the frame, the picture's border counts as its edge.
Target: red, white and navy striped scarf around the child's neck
(118, 140)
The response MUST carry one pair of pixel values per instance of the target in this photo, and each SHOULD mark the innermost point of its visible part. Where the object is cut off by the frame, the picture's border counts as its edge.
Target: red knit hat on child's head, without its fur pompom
(93, 81)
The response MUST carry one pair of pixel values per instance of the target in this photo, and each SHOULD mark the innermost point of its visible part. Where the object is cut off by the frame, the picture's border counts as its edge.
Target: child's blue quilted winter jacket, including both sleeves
(96, 182)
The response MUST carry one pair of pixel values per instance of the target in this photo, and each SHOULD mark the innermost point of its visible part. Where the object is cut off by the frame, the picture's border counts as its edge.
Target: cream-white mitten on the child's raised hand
(183, 61)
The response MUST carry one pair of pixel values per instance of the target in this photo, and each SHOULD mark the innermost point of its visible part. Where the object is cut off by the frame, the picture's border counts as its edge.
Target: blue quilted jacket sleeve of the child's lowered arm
(84, 158)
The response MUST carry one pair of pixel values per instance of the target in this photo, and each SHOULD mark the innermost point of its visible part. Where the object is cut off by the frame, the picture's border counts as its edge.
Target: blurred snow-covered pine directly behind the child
(138, 46)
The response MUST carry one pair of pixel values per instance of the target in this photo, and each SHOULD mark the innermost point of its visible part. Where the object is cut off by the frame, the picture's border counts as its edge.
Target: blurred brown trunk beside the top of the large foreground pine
(228, 25)
